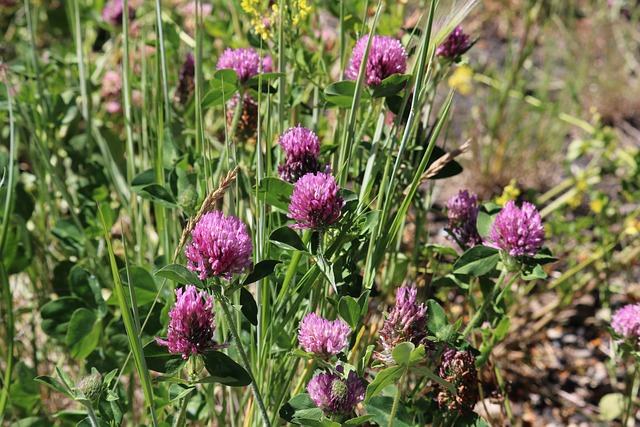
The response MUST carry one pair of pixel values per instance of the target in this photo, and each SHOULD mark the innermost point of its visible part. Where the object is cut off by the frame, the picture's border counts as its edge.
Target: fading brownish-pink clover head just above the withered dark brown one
(407, 322)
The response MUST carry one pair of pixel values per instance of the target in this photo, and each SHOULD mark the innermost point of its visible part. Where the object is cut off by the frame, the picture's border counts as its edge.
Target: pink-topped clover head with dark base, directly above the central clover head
(302, 149)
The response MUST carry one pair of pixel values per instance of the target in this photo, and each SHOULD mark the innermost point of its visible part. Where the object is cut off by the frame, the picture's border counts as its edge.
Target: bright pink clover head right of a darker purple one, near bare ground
(517, 231)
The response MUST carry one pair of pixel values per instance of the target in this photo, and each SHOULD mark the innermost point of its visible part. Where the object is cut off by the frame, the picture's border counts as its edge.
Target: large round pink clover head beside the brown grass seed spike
(220, 246)
